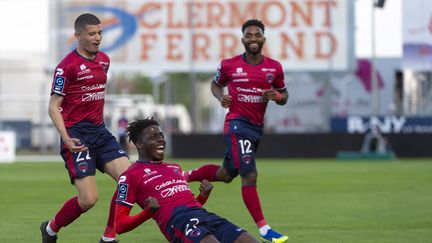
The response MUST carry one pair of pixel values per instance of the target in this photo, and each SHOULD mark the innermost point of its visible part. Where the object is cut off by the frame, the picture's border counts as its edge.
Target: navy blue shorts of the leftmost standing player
(102, 148)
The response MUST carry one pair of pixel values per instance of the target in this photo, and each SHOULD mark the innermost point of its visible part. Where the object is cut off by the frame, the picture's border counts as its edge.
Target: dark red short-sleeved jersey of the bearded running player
(246, 84)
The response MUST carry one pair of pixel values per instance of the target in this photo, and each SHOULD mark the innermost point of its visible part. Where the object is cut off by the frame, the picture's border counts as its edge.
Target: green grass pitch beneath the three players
(310, 200)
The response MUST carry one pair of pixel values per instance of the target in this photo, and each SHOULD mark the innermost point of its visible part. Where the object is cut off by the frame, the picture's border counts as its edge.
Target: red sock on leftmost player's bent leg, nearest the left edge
(70, 211)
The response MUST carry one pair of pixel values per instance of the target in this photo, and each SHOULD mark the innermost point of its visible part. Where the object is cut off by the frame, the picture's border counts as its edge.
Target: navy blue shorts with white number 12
(241, 140)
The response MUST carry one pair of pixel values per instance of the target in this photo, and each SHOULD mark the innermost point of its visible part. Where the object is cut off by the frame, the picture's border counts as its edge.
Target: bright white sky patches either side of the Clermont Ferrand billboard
(24, 27)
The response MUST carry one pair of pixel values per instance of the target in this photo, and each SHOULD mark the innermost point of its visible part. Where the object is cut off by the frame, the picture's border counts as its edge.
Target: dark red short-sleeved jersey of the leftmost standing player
(82, 83)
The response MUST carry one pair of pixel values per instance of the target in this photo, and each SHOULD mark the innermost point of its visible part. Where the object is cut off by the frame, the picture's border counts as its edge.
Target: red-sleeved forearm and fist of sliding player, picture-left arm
(125, 223)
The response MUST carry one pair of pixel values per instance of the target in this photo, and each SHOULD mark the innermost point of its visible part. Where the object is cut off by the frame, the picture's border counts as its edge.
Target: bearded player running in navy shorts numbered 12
(252, 80)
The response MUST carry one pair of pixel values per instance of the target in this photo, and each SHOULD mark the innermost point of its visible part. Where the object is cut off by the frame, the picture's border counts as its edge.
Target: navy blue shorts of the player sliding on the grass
(191, 224)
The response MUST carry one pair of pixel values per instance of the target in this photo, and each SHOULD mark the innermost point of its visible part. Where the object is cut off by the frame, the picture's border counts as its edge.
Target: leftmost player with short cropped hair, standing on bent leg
(76, 109)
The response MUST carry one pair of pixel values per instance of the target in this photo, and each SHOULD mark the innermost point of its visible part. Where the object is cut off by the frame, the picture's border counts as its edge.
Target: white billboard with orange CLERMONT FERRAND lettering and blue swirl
(180, 35)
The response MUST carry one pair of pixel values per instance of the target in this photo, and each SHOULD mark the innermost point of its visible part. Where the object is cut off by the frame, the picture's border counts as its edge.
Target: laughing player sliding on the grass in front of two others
(160, 189)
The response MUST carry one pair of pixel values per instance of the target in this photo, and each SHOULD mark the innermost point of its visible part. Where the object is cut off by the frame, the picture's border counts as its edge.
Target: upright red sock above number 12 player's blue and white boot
(252, 202)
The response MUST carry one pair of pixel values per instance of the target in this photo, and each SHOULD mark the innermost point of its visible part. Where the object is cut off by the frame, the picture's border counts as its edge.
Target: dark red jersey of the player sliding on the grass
(163, 181)
